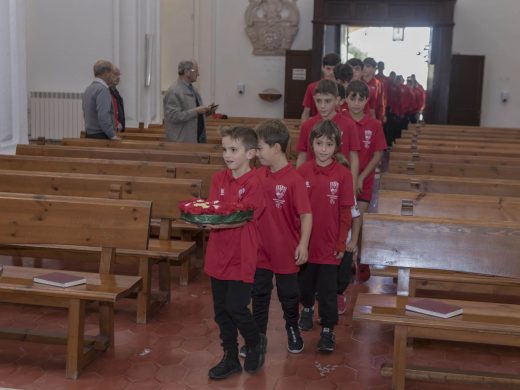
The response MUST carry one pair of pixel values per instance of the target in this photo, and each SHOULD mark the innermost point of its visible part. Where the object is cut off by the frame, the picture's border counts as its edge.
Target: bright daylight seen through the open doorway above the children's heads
(411, 55)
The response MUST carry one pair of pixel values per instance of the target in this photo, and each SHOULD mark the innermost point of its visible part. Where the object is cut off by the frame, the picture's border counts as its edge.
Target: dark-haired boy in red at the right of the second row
(373, 143)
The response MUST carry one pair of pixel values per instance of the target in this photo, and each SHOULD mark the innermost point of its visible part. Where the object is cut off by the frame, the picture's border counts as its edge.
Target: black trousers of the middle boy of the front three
(287, 289)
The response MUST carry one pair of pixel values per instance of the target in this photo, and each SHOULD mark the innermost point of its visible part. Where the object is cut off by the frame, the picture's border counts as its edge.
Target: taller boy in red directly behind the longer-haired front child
(326, 97)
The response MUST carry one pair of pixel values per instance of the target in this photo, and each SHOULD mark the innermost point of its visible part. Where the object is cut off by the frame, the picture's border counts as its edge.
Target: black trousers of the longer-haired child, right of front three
(323, 280)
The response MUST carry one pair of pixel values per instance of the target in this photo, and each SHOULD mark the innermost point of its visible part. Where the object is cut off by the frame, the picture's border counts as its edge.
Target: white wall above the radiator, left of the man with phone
(66, 37)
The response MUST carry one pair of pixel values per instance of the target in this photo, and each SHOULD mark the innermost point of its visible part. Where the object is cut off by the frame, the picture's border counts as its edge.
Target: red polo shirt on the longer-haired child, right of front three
(329, 188)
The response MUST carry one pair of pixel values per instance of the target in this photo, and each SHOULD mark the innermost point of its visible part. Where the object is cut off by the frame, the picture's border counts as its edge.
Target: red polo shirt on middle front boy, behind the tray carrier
(285, 200)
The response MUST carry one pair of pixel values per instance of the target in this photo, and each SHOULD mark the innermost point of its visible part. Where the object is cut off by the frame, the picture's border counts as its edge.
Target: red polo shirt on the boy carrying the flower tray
(231, 254)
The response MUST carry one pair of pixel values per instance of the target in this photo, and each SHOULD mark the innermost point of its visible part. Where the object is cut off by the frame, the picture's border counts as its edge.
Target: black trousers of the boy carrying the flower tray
(230, 302)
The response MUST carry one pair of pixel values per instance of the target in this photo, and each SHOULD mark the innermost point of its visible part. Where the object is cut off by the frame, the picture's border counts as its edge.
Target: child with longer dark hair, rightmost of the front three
(331, 194)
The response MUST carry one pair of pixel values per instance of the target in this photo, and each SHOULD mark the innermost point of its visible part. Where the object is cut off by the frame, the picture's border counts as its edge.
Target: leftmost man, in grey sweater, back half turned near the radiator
(98, 110)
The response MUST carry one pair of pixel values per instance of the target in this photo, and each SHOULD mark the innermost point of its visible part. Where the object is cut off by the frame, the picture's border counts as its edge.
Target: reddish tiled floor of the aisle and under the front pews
(179, 345)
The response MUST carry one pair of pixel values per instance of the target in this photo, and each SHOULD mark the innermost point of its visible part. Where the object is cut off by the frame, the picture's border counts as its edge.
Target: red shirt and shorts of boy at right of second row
(372, 139)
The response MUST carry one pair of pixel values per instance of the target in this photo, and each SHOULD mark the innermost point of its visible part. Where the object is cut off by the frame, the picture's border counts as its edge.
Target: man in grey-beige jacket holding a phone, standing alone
(183, 110)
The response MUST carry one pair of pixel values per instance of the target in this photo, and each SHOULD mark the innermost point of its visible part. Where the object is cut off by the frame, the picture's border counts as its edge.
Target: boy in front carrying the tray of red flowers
(231, 255)
